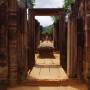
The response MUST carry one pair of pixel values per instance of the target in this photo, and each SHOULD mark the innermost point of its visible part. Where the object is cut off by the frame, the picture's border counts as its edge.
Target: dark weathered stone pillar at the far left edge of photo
(3, 47)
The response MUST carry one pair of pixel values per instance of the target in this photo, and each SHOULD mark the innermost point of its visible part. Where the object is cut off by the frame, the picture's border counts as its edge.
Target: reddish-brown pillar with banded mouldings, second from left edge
(12, 42)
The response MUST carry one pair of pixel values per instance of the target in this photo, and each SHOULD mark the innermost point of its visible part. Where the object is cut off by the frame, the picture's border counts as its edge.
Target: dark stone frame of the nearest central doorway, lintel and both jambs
(61, 34)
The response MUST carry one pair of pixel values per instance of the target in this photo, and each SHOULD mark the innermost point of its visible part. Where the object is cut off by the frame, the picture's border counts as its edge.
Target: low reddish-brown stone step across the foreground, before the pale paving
(46, 82)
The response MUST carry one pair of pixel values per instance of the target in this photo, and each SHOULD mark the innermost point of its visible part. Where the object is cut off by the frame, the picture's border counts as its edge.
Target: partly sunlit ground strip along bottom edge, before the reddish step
(73, 86)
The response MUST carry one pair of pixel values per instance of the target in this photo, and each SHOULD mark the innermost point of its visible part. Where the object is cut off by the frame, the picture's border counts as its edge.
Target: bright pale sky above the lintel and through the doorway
(47, 20)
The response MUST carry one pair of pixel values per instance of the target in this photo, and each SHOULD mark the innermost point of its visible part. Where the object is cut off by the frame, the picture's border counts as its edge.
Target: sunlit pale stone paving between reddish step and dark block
(48, 69)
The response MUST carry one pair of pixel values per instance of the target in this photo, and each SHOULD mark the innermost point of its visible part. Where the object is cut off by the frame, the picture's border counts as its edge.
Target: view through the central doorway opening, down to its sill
(46, 49)
